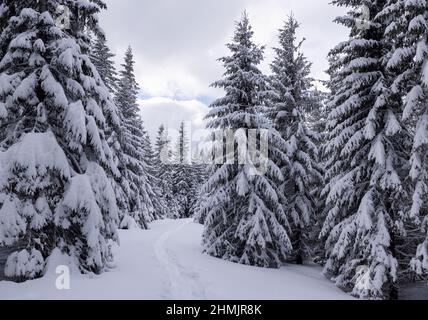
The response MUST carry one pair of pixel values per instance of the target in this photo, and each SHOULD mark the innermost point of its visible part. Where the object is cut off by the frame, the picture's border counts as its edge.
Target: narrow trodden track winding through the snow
(183, 283)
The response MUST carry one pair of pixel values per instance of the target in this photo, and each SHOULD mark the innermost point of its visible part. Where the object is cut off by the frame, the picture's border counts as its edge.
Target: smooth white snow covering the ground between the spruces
(166, 263)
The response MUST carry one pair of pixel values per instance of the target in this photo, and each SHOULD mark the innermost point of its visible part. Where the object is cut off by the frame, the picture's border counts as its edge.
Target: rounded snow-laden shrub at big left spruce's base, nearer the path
(93, 211)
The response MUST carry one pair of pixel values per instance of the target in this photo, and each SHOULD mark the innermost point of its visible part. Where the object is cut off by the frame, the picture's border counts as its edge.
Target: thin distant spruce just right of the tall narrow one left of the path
(164, 171)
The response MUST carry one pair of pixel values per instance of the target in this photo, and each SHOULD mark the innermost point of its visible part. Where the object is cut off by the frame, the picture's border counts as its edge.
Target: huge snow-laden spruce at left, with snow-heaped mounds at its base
(54, 158)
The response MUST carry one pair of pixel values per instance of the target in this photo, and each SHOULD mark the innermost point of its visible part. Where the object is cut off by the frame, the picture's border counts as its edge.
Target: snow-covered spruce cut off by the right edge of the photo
(407, 30)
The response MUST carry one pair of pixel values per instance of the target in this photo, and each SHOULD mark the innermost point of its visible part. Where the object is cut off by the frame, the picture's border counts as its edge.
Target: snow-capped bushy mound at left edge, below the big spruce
(33, 171)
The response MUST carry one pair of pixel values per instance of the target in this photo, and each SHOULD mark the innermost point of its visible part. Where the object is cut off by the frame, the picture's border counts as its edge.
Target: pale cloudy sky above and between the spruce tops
(176, 44)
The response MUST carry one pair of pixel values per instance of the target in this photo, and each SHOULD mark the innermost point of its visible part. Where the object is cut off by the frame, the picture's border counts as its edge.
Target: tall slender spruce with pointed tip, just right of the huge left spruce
(133, 157)
